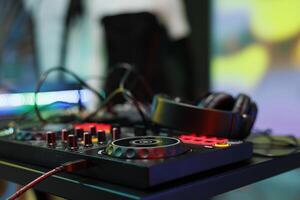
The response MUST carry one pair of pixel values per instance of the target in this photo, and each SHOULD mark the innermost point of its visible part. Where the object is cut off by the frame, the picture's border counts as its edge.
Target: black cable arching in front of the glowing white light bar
(43, 79)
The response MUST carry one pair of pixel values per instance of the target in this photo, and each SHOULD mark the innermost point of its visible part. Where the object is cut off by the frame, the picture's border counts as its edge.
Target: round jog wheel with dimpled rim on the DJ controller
(146, 147)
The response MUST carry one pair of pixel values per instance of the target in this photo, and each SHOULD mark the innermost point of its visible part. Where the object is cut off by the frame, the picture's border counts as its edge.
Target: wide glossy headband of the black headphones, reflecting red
(190, 118)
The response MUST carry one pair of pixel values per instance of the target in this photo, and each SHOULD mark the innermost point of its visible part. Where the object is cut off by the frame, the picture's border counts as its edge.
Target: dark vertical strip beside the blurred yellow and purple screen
(199, 16)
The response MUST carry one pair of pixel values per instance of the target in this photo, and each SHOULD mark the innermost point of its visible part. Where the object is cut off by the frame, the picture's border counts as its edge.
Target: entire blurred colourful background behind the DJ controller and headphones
(182, 47)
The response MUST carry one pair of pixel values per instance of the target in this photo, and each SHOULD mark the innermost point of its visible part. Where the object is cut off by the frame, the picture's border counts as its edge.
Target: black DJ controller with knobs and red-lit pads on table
(132, 156)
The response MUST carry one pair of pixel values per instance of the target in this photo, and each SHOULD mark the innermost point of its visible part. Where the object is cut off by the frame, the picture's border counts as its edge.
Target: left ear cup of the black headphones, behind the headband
(222, 101)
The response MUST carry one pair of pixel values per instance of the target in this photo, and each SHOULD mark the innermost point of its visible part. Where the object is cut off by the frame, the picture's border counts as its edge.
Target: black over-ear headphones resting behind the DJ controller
(216, 114)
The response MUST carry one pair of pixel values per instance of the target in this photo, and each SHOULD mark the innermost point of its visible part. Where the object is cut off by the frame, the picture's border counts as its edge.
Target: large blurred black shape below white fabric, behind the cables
(139, 39)
